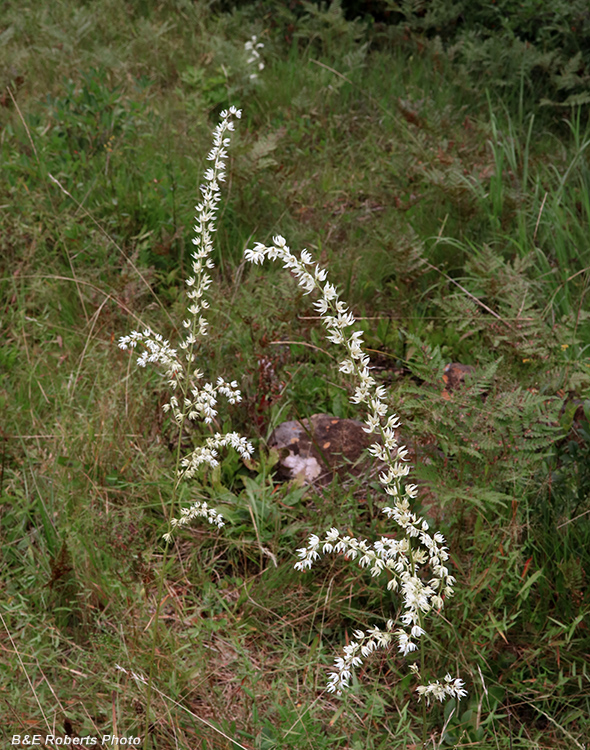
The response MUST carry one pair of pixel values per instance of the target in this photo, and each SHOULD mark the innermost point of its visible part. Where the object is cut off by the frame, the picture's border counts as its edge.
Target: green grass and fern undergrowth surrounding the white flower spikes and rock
(450, 203)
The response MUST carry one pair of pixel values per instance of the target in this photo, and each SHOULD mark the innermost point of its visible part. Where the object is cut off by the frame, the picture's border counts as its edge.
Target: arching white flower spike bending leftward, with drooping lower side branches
(405, 559)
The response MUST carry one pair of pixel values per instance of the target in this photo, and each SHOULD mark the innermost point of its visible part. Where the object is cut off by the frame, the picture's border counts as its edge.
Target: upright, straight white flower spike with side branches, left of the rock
(196, 400)
